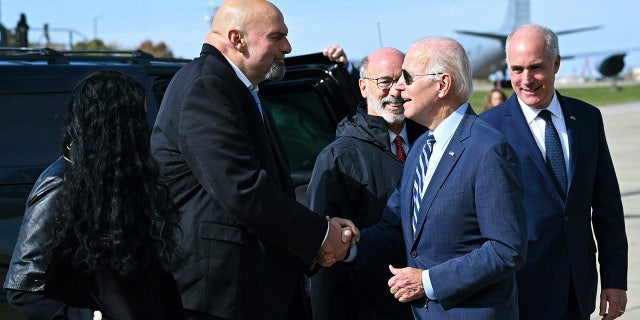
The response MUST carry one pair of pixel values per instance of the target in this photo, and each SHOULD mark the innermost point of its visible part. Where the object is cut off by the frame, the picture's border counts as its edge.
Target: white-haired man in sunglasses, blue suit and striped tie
(459, 215)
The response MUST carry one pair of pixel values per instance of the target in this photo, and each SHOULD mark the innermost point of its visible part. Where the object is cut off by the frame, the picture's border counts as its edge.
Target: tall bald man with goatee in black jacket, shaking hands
(246, 241)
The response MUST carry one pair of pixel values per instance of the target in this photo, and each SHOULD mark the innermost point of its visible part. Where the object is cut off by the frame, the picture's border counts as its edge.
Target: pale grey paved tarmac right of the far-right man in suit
(622, 127)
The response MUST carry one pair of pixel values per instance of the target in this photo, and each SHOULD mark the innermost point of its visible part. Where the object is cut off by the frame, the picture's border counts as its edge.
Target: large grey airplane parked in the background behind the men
(486, 49)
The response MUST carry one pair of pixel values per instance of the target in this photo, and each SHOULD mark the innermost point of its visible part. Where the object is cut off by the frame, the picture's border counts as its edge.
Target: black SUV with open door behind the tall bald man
(35, 85)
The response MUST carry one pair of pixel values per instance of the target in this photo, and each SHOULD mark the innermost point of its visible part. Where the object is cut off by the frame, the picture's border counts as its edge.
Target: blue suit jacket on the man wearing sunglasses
(471, 233)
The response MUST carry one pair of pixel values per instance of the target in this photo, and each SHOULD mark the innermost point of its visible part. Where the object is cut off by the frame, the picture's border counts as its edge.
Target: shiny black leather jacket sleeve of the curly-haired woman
(29, 261)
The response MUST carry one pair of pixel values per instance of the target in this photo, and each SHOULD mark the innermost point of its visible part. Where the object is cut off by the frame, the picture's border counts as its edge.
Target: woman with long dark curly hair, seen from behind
(98, 231)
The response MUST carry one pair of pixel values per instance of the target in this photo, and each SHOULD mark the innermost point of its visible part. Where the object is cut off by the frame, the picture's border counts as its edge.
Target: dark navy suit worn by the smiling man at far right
(561, 244)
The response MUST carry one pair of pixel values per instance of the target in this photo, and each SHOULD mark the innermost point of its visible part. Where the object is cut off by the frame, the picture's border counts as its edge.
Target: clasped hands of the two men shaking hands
(342, 236)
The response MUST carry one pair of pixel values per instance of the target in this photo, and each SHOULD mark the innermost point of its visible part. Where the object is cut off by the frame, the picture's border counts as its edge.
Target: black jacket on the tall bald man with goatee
(245, 240)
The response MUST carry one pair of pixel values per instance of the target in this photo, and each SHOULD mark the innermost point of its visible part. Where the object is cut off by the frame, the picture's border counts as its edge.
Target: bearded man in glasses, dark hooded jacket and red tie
(354, 176)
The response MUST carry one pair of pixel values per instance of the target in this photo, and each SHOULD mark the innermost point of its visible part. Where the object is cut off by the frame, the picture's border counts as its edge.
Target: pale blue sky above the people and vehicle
(360, 26)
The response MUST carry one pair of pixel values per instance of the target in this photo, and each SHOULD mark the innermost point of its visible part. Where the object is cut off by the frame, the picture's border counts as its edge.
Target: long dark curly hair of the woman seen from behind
(111, 211)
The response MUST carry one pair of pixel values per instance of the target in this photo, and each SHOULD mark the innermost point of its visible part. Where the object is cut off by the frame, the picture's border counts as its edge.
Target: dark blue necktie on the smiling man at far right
(555, 157)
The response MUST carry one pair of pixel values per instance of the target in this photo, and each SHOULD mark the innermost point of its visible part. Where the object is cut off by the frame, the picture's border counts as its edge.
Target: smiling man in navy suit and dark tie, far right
(559, 280)
